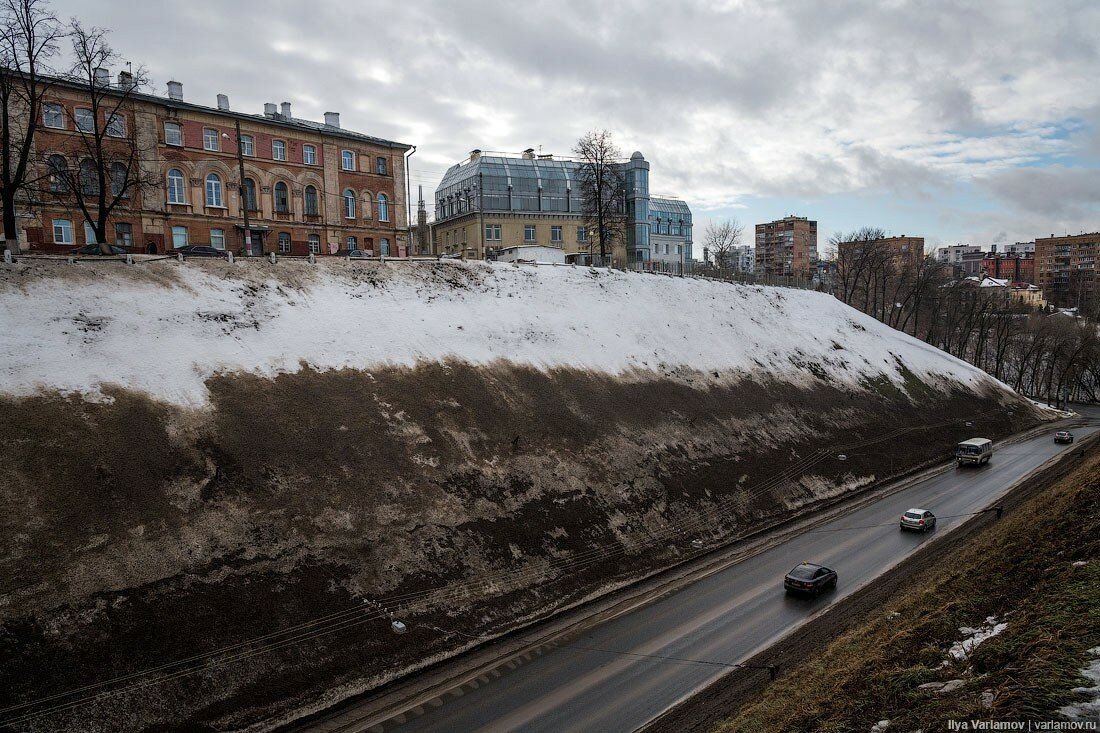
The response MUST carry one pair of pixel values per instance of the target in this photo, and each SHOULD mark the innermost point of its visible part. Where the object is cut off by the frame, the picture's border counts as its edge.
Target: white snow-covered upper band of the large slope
(163, 327)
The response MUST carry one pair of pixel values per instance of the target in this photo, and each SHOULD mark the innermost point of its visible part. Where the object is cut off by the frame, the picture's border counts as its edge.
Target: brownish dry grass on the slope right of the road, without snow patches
(1021, 571)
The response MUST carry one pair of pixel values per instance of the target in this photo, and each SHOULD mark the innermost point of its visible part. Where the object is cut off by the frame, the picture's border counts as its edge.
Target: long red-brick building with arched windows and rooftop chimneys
(310, 187)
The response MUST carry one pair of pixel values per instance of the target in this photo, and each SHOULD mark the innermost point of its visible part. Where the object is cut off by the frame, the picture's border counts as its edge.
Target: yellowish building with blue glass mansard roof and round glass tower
(490, 203)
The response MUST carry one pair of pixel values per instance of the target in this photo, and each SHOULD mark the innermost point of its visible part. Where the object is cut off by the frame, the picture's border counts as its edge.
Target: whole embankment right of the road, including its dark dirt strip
(895, 651)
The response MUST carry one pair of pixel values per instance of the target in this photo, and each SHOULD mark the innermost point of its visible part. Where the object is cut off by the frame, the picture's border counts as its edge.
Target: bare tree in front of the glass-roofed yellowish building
(603, 188)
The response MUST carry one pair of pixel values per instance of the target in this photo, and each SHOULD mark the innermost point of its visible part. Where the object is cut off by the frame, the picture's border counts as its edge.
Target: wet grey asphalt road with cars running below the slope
(624, 673)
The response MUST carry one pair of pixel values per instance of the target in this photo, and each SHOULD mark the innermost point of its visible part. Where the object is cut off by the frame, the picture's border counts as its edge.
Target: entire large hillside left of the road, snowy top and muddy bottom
(222, 484)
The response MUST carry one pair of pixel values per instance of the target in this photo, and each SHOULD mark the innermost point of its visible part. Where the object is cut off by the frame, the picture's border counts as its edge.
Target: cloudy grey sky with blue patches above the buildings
(976, 123)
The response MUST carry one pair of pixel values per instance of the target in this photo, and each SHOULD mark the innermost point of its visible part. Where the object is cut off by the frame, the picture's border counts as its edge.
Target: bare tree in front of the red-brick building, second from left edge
(108, 156)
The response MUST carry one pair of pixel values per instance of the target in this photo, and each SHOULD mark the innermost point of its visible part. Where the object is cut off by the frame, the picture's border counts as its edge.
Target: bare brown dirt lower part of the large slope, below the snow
(138, 537)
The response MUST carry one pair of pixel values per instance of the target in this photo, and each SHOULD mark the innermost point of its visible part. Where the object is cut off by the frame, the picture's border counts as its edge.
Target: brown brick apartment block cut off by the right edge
(1066, 269)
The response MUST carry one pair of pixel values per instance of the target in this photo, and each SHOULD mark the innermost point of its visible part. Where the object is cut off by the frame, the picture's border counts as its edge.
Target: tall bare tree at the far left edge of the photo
(28, 45)
